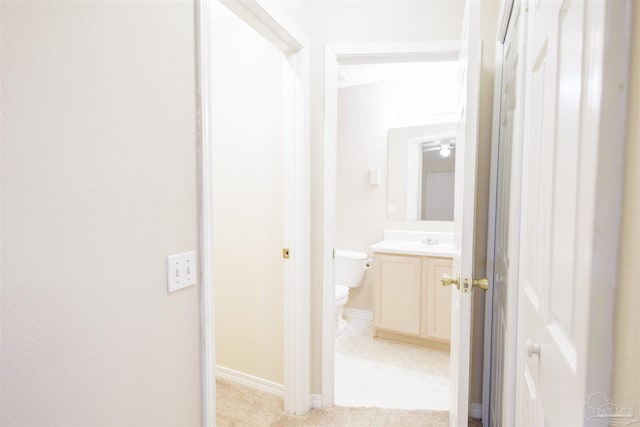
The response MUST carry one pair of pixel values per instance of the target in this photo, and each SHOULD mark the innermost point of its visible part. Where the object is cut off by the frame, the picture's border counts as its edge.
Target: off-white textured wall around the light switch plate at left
(98, 187)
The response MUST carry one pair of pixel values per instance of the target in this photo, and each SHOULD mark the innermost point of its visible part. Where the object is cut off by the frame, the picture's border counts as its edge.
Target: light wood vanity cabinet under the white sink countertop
(411, 305)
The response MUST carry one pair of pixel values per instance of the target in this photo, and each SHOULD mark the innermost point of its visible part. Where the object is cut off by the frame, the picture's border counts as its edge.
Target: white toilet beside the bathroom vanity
(349, 268)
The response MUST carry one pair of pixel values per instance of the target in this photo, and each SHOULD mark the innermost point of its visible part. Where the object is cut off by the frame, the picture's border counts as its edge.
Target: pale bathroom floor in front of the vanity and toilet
(384, 374)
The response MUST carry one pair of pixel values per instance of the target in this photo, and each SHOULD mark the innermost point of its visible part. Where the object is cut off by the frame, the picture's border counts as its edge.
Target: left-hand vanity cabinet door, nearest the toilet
(398, 293)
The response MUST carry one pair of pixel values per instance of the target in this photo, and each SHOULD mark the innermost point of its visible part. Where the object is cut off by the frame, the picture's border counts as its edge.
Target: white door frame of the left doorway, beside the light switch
(297, 209)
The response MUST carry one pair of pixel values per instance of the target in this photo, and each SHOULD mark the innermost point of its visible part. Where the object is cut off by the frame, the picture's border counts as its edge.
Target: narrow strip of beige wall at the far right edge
(626, 379)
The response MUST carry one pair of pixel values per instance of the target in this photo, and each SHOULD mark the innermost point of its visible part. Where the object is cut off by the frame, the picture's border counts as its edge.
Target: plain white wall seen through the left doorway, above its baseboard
(248, 204)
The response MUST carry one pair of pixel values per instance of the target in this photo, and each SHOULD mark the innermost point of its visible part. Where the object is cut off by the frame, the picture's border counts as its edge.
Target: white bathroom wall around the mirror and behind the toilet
(365, 115)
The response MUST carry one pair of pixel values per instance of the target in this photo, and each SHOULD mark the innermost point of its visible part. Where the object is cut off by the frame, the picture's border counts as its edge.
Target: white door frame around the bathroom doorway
(352, 54)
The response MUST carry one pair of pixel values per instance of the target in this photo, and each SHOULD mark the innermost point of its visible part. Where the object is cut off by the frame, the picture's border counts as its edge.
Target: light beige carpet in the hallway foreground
(238, 406)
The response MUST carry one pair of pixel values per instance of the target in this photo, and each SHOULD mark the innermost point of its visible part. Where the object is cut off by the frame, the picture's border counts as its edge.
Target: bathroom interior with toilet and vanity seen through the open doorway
(394, 168)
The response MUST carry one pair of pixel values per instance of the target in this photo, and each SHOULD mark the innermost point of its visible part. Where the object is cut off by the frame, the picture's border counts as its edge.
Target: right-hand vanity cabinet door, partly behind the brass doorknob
(437, 303)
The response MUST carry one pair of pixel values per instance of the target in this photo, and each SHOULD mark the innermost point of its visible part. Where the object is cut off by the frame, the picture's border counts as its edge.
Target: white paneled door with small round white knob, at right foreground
(572, 142)
